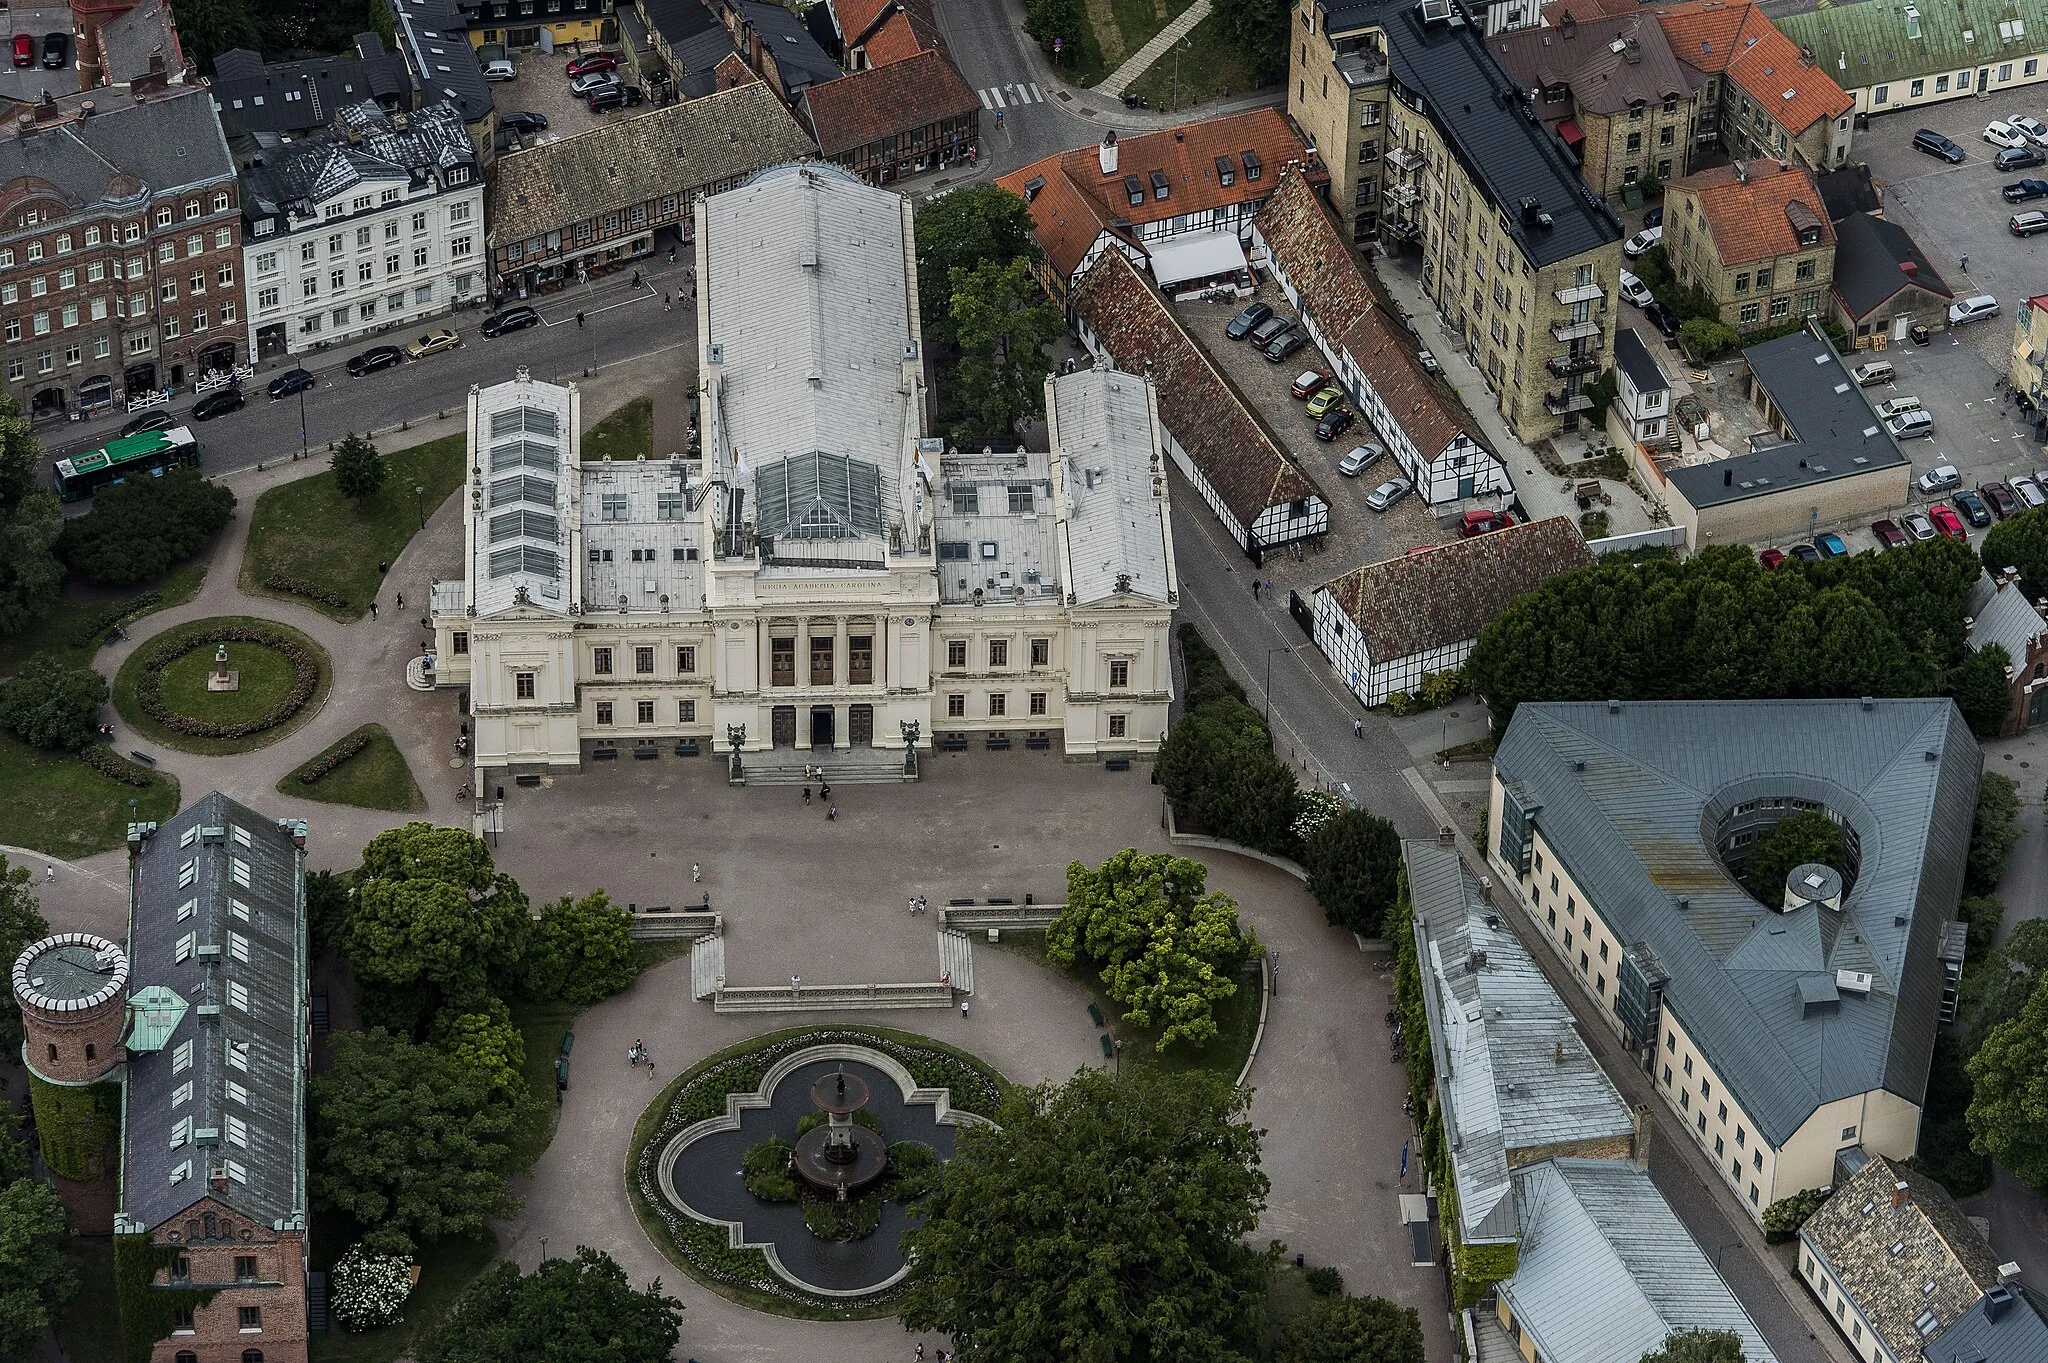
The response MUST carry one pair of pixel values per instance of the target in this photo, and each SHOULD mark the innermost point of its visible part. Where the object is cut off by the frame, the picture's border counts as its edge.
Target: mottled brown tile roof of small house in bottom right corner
(1936, 1247)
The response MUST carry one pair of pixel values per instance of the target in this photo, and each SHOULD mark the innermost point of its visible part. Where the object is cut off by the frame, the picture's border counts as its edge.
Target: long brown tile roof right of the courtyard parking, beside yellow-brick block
(1304, 238)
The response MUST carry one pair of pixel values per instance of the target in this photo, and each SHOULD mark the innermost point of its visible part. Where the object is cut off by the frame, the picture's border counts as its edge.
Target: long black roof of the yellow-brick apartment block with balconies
(1500, 142)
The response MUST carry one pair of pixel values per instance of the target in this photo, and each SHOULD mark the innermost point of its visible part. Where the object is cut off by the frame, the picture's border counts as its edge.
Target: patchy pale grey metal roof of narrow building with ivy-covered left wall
(1512, 1071)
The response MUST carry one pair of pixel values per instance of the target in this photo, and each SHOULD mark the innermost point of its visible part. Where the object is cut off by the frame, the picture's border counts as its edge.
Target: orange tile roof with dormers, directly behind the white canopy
(1189, 159)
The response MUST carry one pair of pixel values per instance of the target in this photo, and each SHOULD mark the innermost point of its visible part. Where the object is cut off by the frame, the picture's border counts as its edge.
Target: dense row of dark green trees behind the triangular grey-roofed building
(1721, 627)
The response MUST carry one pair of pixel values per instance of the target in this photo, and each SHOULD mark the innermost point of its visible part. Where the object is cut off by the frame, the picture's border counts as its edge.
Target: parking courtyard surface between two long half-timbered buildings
(1357, 533)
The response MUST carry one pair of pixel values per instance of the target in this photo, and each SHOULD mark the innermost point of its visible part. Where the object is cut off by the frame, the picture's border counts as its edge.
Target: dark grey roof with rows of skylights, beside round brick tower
(218, 918)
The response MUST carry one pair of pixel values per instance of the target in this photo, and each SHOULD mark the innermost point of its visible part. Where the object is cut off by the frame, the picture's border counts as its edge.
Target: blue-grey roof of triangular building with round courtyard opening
(1629, 830)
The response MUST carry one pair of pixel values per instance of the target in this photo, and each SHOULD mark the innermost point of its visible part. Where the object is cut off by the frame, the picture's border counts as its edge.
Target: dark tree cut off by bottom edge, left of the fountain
(568, 1311)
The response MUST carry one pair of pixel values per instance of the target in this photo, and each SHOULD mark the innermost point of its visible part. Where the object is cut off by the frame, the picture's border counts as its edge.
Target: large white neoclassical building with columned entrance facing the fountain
(826, 574)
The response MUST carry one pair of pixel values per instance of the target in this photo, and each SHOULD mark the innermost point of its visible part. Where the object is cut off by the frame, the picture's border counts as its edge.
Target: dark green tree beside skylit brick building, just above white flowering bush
(409, 1141)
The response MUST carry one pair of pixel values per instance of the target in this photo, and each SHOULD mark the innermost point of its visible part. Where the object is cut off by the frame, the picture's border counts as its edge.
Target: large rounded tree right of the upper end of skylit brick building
(433, 914)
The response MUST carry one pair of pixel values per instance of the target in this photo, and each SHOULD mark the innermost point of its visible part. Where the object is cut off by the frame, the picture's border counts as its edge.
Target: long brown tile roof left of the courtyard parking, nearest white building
(1226, 439)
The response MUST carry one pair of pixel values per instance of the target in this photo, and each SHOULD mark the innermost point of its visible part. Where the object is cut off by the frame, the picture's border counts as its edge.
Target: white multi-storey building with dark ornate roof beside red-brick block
(359, 230)
